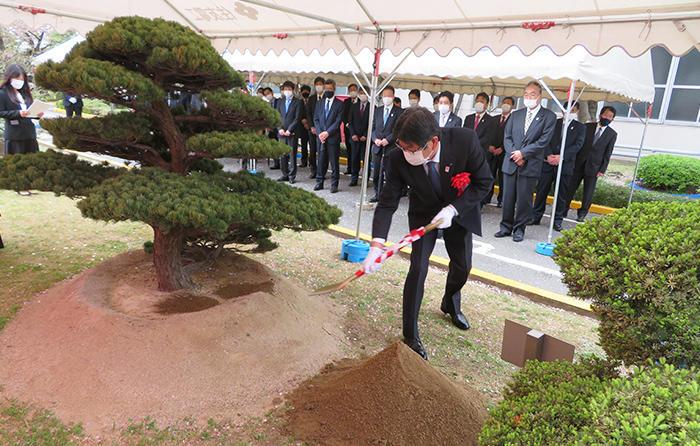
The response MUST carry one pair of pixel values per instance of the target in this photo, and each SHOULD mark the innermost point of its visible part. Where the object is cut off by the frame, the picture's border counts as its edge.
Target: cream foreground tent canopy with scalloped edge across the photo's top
(634, 25)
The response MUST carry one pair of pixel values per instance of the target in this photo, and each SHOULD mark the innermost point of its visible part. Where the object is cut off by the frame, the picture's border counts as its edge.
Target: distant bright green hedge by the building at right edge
(680, 174)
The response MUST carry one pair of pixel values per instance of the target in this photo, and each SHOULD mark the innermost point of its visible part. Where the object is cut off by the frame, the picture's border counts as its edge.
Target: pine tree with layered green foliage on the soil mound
(179, 190)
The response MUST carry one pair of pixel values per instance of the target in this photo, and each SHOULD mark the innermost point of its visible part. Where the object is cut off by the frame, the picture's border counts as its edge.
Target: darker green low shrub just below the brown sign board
(546, 404)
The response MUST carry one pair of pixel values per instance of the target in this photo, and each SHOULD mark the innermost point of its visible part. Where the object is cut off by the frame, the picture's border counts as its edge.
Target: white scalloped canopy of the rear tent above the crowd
(613, 76)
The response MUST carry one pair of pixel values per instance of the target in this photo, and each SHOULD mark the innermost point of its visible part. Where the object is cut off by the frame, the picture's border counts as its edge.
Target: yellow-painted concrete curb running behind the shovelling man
(533, 293)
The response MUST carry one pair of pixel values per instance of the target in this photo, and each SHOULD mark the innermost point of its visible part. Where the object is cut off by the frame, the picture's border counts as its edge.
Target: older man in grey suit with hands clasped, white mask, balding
(527, 135)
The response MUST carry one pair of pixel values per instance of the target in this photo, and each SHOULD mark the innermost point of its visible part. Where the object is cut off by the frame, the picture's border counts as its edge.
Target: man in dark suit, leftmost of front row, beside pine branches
(289, 109)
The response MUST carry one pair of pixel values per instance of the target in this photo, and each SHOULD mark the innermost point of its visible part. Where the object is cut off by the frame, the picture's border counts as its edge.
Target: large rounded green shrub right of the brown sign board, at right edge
(640, 267)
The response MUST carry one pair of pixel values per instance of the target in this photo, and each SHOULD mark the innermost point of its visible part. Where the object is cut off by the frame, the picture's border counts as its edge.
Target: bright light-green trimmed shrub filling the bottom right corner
(654, 406)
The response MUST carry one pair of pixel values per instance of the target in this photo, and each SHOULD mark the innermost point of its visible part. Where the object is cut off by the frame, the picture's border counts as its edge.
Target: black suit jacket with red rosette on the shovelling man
(460, 151)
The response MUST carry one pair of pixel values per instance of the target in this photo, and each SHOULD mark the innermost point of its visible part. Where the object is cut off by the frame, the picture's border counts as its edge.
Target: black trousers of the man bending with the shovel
(458, 242)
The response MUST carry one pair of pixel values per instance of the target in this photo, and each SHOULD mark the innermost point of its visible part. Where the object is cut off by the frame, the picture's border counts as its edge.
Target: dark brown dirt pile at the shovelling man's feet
(392, 398)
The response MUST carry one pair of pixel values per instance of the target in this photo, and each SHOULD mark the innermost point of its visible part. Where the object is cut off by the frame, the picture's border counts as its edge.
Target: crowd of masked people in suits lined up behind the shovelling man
(520, 146)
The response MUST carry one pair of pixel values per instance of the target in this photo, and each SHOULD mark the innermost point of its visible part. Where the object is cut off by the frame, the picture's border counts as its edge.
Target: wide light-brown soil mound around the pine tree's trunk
(106, 347)
